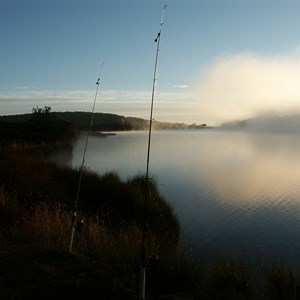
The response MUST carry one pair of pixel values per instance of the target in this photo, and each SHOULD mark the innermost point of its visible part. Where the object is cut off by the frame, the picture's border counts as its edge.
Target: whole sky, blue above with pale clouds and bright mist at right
(218, 61)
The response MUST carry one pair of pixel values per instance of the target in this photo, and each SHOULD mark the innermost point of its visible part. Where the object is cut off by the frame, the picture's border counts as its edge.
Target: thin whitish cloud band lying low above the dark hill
(168, 106)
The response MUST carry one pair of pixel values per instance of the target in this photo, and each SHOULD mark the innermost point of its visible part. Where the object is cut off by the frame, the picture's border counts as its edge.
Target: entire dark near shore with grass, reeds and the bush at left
(36, 203)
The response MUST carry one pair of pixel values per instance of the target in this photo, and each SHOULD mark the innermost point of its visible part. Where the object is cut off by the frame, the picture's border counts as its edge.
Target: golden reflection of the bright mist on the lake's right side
(253, 169)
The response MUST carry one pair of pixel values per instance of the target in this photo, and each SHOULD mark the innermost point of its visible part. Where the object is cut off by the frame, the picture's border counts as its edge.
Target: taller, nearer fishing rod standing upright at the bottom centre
(142, 283)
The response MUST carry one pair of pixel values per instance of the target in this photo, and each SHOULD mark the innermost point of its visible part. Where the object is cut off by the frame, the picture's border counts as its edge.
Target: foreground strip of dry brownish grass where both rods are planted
(34, 263)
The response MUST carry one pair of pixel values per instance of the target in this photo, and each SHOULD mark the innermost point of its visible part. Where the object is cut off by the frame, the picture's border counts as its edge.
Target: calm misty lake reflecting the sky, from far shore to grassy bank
(231, 190)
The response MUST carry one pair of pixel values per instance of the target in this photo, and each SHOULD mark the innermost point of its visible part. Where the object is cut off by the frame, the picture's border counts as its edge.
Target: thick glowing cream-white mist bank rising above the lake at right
(244, 85)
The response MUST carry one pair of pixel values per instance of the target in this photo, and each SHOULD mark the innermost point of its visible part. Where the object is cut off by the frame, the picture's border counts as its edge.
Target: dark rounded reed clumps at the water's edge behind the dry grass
(122, 202)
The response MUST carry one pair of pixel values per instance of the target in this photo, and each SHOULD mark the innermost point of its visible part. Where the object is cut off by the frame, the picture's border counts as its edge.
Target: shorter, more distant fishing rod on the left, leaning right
(74, 218)
